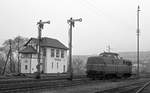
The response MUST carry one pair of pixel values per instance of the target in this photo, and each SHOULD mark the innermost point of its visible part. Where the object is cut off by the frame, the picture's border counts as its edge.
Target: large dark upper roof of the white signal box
(49, 42)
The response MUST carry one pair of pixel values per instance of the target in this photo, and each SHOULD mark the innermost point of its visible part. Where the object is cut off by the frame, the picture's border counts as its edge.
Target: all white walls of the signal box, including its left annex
(48, 64)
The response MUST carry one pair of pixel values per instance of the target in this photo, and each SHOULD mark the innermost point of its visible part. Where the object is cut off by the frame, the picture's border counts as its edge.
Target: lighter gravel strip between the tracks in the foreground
(86, 88)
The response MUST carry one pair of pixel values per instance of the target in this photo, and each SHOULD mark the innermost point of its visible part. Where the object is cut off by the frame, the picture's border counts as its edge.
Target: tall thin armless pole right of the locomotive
(138, 32)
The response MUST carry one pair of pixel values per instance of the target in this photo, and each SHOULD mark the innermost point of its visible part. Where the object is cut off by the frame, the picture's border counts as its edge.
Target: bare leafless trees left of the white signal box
(15, 45)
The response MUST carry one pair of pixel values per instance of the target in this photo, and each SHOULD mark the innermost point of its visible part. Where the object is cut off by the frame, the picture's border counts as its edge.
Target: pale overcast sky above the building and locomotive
(105, 22)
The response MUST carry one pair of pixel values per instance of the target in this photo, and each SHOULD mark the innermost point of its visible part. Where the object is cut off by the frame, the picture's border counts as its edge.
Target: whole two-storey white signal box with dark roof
(53, 56)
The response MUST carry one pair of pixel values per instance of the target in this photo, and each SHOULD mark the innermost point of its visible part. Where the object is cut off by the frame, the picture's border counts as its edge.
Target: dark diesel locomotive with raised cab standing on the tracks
(108, 65)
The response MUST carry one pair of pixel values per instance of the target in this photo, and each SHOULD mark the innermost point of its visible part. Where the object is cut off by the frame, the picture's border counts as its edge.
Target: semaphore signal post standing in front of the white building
(40, 27)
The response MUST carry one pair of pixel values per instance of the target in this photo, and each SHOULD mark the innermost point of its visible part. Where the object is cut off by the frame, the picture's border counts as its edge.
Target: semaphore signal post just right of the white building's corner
(71, 22)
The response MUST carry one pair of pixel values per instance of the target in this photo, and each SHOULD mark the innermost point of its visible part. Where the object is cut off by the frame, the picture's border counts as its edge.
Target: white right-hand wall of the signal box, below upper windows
(55, 64)
